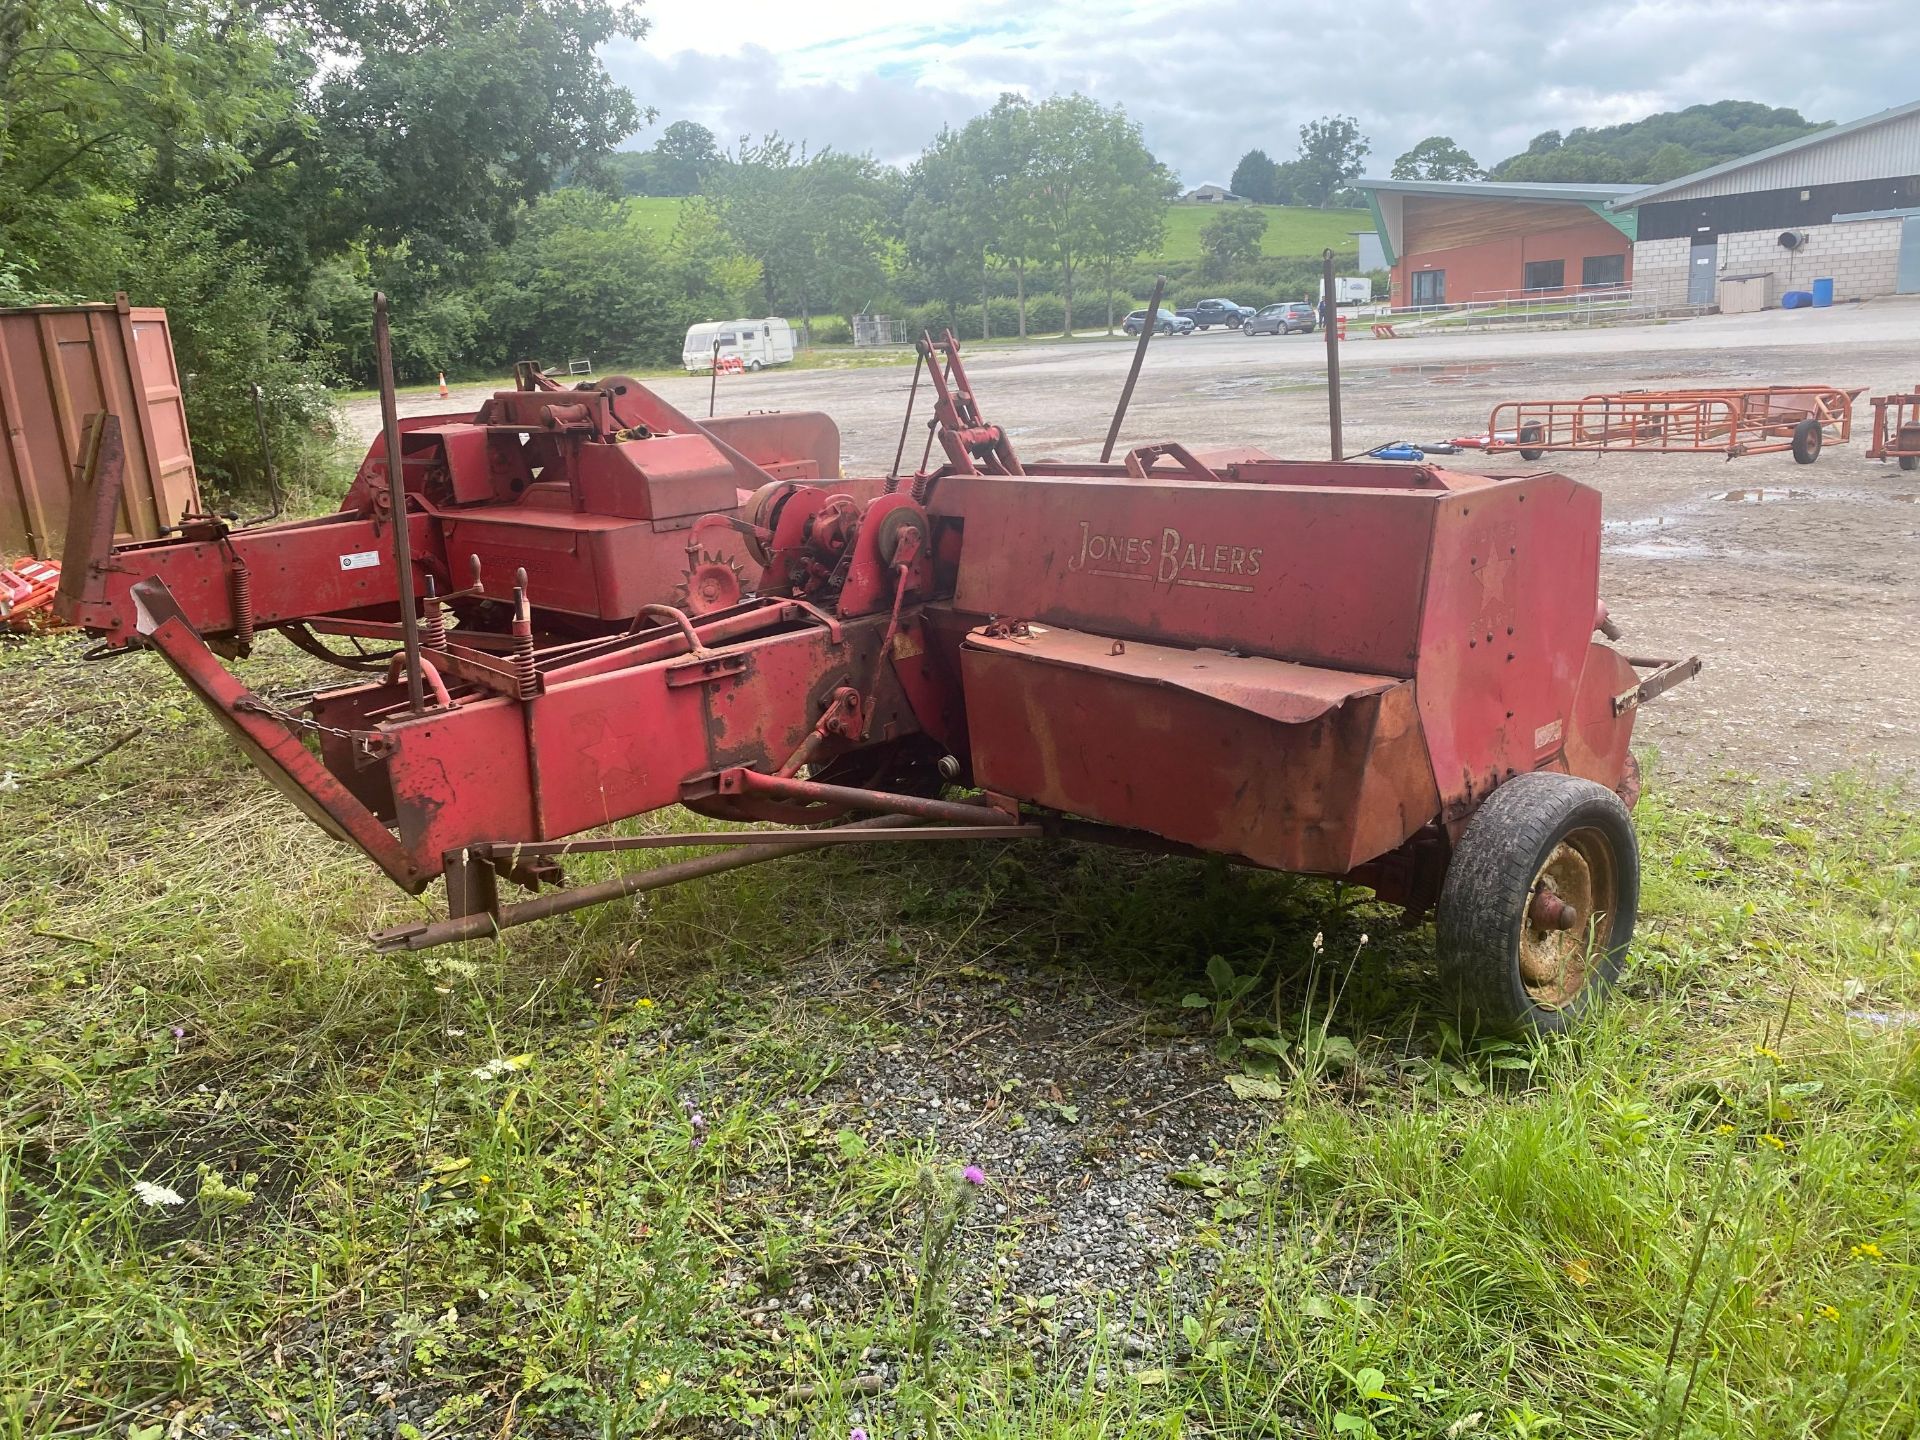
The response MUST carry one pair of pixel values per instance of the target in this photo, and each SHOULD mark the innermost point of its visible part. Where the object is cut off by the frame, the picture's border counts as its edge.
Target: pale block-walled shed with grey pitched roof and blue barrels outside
(1840, 204)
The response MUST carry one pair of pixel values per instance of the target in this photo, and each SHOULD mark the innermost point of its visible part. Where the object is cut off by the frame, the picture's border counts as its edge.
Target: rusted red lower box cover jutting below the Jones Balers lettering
(1285, 765)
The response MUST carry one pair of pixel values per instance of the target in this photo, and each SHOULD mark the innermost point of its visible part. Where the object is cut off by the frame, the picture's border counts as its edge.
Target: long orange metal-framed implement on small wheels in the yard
(1735, 421)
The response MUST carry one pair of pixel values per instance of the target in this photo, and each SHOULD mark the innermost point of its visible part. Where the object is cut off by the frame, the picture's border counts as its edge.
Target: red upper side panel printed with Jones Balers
(1322, 577)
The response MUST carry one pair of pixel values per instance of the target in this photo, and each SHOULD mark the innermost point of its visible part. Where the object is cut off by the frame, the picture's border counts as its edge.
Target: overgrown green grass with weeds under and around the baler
(575, 1182)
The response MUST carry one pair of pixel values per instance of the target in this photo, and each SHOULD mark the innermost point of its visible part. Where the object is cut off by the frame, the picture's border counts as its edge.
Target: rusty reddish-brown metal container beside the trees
(59, 366)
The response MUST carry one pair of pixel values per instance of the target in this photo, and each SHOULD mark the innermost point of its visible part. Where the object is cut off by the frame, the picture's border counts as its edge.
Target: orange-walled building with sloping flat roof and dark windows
(1454, 243)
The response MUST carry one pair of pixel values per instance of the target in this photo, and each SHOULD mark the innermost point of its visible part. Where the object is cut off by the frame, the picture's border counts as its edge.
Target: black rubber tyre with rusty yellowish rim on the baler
(1541, 832)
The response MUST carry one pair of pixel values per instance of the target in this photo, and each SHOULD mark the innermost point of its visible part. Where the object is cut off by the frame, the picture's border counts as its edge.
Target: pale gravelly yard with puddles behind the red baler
(1800, 585)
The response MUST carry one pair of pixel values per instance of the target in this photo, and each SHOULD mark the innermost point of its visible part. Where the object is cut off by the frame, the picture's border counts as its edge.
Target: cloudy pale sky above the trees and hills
(1211, 82)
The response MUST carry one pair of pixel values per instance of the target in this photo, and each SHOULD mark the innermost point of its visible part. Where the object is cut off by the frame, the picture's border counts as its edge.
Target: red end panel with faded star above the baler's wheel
(1504, 631)
